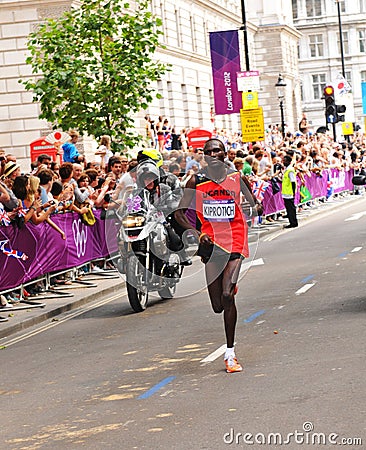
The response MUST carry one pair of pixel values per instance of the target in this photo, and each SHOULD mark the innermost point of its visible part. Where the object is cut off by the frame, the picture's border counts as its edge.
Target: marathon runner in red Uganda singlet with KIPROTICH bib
(219, 194)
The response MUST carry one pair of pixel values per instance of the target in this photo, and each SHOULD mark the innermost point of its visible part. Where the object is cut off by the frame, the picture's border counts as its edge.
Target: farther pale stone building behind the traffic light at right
(320, 54)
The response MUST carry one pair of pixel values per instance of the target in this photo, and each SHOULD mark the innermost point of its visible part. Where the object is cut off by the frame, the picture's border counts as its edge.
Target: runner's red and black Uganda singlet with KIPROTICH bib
(218, 208)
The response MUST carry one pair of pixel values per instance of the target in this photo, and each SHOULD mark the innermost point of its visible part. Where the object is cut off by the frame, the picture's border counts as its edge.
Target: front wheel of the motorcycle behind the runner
(136, 290)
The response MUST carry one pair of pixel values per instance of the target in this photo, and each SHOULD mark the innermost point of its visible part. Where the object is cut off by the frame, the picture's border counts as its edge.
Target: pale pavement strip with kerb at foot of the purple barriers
(92, 287)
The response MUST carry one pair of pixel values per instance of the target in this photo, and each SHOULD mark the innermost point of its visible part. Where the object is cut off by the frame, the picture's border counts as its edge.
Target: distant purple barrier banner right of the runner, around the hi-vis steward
(332, 181)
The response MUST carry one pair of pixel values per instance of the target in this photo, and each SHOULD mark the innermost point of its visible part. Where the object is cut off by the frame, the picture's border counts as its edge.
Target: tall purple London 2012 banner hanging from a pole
(225, 60)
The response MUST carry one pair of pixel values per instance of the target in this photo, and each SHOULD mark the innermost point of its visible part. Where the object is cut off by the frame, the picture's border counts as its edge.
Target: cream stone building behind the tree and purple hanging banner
(187, 92)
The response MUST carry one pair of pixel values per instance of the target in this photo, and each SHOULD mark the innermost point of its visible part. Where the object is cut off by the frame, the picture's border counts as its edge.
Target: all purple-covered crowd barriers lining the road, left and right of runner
(38, 250)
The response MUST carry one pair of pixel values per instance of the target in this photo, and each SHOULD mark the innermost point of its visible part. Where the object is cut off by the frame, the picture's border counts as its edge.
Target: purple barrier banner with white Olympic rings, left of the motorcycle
(35, 250)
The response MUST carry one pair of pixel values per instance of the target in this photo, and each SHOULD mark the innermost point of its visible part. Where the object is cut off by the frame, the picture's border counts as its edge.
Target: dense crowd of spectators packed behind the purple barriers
(73, 184)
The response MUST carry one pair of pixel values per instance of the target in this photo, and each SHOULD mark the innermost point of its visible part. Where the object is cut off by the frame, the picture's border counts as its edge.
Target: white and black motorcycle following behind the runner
(144, 242)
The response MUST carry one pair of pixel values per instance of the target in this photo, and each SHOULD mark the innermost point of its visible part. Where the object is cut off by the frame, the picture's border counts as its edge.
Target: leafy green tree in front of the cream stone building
(94, 68)
